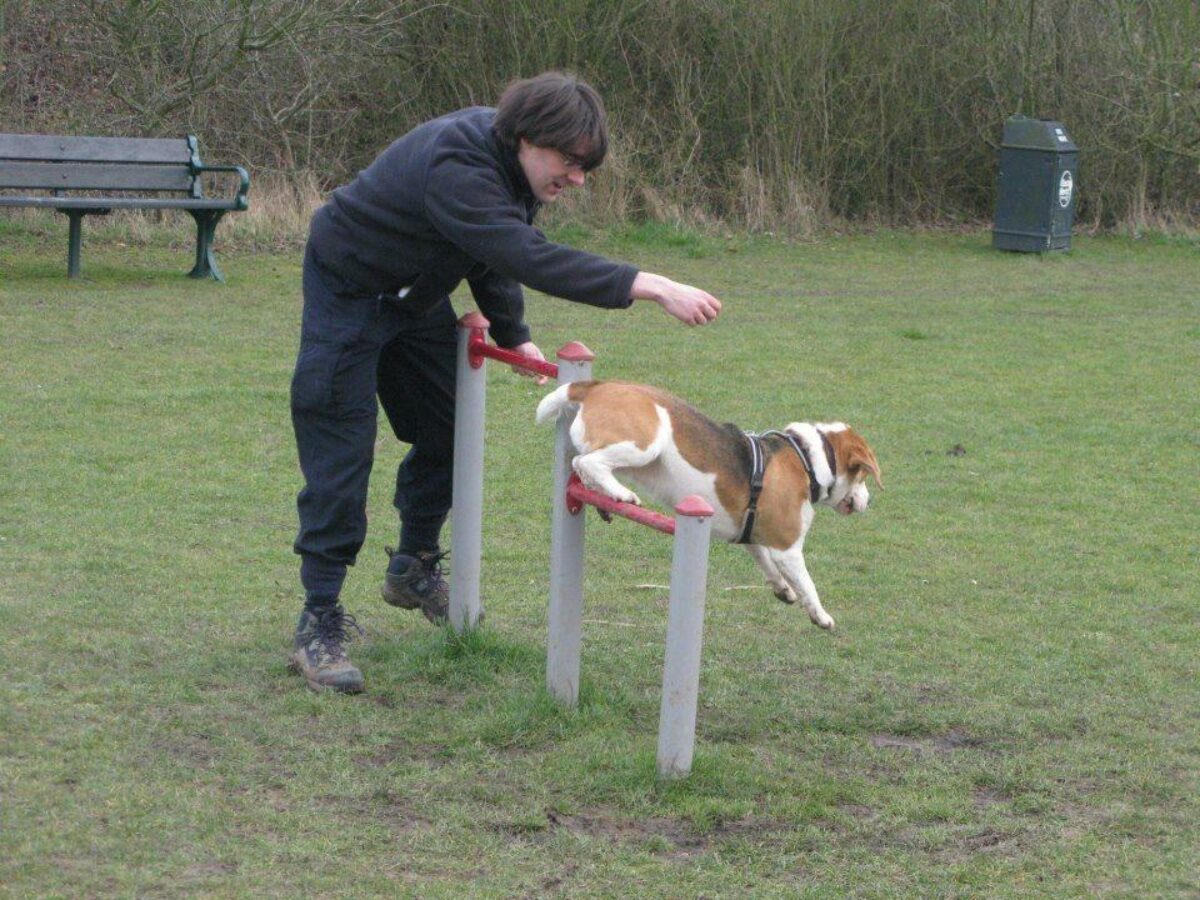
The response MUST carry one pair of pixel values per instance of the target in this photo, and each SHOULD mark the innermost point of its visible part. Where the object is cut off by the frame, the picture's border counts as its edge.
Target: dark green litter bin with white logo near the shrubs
(1039, 185)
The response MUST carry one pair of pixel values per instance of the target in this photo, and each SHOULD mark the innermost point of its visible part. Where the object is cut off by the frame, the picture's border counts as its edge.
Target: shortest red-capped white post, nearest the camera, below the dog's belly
(686, 631)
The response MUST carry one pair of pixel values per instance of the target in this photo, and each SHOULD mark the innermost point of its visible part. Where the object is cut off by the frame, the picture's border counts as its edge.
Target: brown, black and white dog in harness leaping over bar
(763, 488)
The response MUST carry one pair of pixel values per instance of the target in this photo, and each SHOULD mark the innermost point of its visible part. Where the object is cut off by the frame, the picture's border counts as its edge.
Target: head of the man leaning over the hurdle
(559, 129)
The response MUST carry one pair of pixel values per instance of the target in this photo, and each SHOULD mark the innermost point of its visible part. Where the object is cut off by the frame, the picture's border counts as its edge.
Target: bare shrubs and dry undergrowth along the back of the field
(763, 115)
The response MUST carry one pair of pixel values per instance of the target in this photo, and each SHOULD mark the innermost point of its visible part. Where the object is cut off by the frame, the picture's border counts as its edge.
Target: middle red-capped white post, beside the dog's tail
(566, 615)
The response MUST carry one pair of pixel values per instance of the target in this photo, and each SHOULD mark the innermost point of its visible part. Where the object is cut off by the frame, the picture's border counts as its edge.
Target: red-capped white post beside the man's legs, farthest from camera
(466, 542)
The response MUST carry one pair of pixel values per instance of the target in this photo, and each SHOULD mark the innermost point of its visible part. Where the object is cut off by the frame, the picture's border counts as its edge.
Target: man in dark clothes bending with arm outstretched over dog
(453, 200)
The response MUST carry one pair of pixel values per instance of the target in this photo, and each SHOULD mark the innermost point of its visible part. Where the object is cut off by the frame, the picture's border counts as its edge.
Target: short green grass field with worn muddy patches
(1009, 706)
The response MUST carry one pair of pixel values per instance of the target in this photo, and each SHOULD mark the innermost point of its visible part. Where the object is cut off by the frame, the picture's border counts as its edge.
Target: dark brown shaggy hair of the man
(559, 111)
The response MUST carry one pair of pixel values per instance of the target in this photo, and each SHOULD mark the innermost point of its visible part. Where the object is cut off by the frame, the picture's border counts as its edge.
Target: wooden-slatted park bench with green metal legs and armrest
(89, 176)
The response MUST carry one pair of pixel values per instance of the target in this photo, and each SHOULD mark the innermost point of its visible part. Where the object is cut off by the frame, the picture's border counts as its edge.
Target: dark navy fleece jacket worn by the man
(449, 202)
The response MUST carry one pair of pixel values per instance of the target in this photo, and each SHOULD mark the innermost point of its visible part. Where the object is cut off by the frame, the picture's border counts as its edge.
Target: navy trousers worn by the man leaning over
(353, 350)
